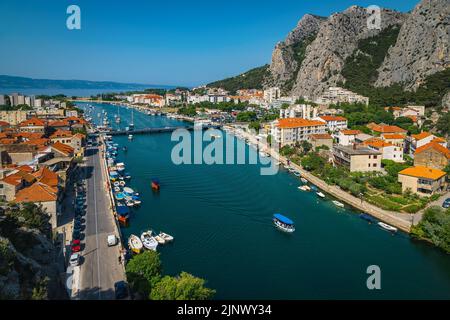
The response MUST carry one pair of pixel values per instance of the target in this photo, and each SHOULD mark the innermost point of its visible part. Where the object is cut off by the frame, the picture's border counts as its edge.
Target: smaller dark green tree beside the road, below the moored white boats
(144, 271)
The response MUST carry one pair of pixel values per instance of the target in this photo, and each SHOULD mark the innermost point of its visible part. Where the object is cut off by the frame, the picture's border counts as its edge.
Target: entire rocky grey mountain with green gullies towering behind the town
(405, 61)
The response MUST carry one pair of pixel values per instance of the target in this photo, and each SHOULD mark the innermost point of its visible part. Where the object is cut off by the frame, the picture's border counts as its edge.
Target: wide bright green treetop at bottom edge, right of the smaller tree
(183, 287)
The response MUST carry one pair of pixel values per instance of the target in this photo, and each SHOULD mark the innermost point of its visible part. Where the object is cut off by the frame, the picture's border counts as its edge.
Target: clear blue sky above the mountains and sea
(153, 42)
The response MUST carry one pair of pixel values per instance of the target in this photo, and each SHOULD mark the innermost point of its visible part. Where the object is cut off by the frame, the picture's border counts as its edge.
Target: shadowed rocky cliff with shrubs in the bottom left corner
(28, 258)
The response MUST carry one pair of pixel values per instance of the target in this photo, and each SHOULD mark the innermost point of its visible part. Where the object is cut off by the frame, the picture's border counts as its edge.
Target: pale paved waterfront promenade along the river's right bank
(400, 220)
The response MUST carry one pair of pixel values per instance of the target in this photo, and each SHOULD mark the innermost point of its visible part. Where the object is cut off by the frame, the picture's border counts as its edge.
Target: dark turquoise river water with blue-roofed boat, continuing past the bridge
(220, 216)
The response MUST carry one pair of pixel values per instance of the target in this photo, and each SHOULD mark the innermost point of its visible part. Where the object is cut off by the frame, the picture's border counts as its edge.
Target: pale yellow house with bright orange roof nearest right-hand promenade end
(422, 180)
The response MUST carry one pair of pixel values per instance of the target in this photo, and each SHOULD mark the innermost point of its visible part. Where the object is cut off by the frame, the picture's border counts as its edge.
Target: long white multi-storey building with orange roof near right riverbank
(288, 131)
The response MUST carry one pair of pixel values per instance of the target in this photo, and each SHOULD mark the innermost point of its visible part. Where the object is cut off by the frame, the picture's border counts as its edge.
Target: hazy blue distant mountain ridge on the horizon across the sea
(13, 82)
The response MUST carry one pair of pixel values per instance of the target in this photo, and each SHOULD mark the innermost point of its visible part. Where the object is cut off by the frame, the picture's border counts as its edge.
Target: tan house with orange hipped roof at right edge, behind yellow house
(432, 155)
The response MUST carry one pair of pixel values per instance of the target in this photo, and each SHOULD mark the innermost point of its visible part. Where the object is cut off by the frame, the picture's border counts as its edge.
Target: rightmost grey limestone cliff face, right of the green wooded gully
(422, 48)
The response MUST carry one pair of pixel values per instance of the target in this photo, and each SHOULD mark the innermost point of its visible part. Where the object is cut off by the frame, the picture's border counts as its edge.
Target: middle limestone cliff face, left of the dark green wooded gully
(337, 38)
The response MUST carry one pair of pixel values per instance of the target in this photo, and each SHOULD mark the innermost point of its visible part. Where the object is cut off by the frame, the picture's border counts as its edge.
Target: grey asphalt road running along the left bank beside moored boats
(100, 267)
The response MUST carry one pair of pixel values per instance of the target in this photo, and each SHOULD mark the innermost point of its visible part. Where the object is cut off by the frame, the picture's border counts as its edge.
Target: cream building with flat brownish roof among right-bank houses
(357, 158)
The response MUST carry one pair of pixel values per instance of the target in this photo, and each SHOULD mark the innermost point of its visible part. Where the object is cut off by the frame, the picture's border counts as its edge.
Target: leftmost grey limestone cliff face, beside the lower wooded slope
(285, 62)
